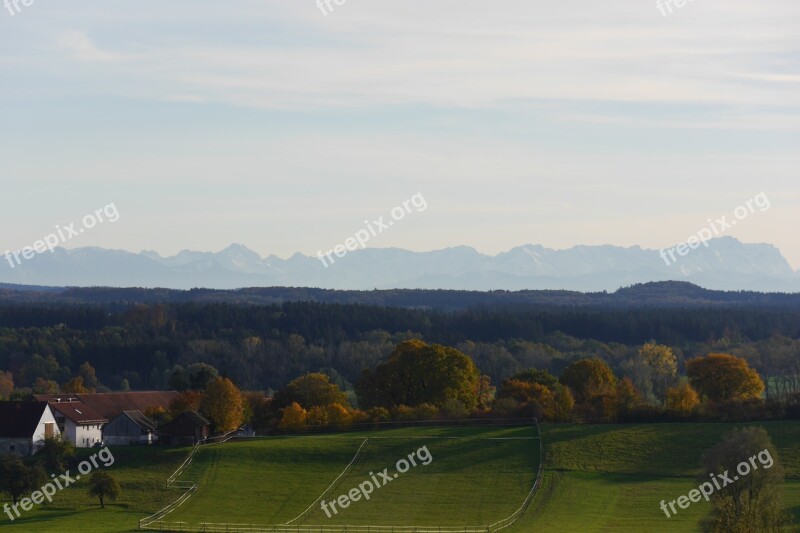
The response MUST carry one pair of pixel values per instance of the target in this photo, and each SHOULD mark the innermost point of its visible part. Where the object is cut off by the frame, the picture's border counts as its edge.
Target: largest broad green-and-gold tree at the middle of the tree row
(418, 373)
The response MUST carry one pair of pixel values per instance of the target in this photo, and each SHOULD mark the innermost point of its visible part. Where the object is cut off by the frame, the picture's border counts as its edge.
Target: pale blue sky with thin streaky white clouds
(285, 128)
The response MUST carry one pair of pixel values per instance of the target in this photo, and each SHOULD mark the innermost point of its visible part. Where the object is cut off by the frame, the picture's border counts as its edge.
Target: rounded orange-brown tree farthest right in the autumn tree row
(723, 377)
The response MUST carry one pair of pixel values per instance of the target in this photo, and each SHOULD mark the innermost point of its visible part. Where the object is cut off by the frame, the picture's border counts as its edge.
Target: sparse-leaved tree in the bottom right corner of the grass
(753, 501)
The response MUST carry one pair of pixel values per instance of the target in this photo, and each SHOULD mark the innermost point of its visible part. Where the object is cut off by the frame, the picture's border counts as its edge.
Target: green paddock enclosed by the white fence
(476, 476)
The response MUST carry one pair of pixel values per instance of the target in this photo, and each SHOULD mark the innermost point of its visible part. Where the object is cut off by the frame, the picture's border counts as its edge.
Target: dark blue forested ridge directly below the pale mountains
(657, 294)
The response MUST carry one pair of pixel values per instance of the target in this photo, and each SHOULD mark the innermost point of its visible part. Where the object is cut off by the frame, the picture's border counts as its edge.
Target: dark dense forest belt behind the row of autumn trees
(263, 347)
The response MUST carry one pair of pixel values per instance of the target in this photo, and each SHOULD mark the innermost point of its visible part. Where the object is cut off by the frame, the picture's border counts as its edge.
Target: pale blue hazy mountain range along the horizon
(726, 264)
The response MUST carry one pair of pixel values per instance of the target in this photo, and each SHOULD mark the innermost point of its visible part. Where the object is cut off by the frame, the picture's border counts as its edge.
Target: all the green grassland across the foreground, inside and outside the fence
(597, 478)
